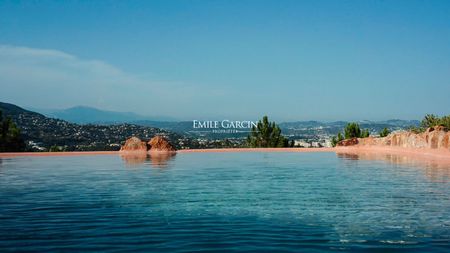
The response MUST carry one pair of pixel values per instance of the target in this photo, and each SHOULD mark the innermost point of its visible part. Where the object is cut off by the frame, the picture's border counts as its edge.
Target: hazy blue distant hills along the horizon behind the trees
(307, 130)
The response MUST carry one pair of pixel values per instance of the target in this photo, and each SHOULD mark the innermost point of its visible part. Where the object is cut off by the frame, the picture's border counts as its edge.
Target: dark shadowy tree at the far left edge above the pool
(10, 138)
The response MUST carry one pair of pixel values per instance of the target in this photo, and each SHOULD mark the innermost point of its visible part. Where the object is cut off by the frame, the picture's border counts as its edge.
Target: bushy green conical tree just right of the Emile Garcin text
(266, 135)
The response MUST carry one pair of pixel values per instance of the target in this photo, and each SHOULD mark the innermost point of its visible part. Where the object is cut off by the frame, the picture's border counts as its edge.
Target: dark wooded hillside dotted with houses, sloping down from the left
(41, 132)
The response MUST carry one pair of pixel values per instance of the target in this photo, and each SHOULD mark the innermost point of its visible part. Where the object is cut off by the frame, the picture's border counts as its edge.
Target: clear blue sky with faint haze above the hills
(291, 60)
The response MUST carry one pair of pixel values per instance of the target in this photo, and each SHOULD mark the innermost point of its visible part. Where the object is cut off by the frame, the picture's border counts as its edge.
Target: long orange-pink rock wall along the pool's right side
(433, 138)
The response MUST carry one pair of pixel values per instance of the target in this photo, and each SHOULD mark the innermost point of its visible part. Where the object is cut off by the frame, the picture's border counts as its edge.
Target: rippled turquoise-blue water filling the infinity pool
(261, 202)
